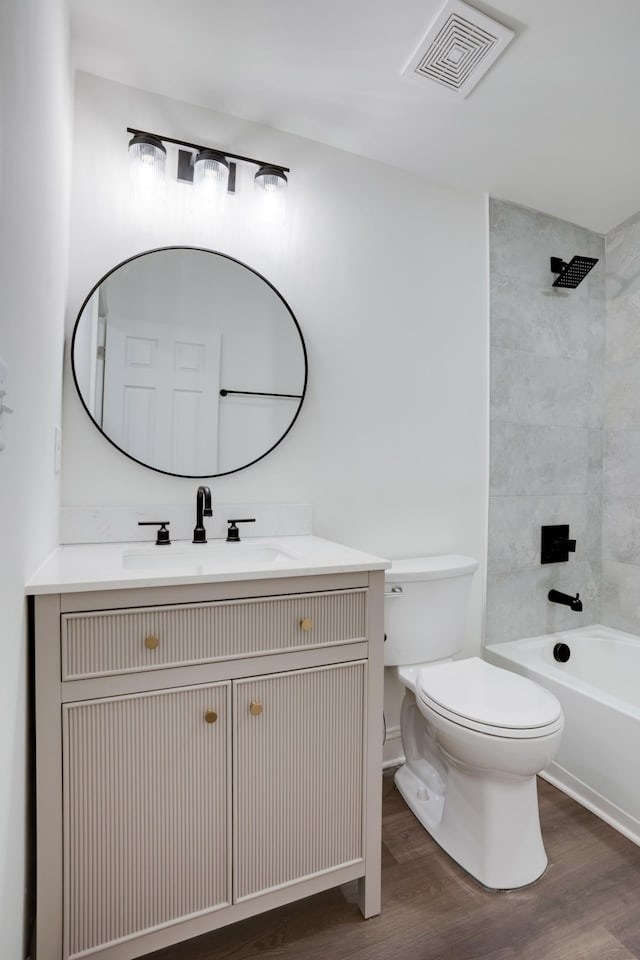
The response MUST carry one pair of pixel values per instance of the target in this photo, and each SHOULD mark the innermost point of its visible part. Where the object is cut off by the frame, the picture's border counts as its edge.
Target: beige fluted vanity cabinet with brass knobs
(203, 753)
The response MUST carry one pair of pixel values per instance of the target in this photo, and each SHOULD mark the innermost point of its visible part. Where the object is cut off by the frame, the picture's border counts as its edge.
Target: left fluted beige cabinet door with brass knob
(146, 813)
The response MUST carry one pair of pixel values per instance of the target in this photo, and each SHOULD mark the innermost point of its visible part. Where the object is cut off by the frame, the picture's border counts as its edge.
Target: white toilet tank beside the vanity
(425, 607)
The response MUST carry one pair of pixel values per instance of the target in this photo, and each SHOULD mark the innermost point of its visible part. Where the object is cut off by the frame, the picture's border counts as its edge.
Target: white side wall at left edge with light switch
(35, 155)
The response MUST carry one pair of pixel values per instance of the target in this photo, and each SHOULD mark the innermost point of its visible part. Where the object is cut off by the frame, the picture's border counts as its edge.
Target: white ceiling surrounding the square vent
(553, 125)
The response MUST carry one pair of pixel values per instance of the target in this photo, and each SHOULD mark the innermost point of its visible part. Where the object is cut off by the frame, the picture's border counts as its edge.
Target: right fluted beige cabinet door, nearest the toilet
(298, 775)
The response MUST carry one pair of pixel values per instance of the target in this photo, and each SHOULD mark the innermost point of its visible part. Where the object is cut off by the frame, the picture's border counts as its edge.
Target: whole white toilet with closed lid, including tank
(474, 735)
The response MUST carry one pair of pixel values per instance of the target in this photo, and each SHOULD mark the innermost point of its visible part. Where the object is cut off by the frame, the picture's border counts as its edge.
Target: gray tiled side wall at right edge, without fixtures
(621, 463)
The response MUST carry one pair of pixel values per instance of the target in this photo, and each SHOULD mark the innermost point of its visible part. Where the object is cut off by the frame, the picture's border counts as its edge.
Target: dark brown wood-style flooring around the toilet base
(586, 906)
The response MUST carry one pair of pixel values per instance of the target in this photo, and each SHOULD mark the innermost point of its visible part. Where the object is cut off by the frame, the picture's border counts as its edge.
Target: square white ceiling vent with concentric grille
(459, 47)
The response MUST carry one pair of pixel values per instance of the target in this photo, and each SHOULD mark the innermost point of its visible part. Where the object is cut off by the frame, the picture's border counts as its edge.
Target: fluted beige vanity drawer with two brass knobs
(147, 638)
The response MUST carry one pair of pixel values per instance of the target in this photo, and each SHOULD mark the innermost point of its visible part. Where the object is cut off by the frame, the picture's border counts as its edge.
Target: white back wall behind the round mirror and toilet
(387, 276)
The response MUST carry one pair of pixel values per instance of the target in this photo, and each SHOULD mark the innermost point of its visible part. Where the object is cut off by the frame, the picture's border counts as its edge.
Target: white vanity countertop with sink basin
(111, 566)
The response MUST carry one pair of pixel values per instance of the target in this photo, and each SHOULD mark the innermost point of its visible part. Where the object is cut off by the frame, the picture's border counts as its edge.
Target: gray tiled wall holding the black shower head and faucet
(546, 446)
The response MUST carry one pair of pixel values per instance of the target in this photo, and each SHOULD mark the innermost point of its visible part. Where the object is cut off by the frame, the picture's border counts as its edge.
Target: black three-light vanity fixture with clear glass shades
(205, 166)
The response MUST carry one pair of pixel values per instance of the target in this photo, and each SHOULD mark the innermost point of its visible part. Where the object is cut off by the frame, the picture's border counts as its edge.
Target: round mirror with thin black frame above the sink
(189, 362)
